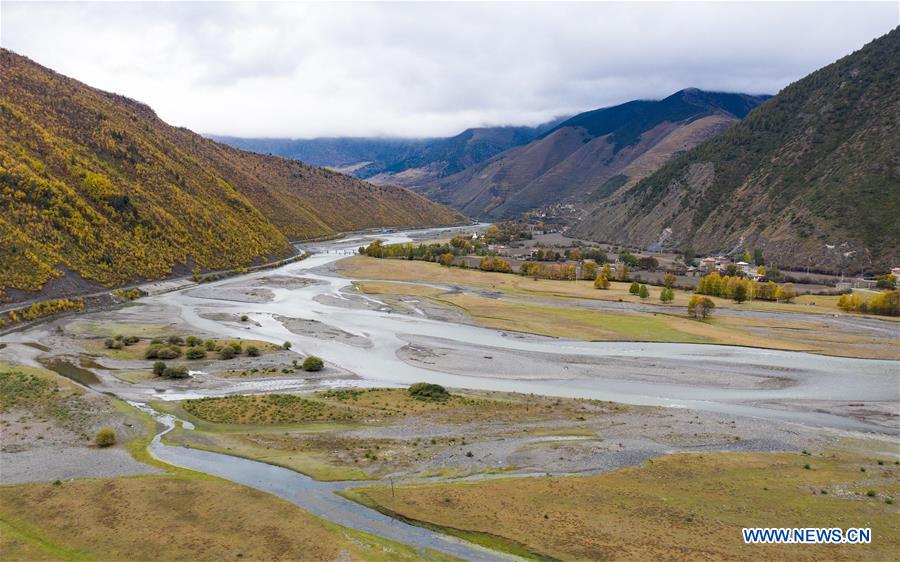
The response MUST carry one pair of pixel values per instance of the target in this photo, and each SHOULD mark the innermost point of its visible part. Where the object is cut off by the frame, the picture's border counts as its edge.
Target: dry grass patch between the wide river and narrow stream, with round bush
(319, 446)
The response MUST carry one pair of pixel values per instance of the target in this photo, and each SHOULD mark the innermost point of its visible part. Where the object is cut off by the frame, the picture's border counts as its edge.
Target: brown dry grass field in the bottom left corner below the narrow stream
(172, 518)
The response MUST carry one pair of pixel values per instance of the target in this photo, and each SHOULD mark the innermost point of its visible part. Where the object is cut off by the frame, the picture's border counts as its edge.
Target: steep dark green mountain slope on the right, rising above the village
(812, 176)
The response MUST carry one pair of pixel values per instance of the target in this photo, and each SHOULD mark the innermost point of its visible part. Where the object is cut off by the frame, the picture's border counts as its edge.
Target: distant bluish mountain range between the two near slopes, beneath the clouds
(499, 172)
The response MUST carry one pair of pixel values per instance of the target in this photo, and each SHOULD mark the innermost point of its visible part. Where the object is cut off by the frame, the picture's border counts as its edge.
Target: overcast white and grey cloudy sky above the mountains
(347, 69)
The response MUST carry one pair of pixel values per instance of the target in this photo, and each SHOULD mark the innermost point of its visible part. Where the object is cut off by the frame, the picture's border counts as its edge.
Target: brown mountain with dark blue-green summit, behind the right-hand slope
(591, 153)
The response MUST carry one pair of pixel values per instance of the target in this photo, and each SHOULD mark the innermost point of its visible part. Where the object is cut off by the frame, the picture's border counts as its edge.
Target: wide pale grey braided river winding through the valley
(696, 376)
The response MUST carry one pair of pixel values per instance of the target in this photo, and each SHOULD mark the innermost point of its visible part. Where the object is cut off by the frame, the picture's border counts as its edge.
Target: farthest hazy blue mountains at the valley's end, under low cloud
(405, 162)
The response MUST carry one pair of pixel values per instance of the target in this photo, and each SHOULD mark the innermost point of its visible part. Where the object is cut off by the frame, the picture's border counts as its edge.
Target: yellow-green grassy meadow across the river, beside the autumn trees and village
(550, 308)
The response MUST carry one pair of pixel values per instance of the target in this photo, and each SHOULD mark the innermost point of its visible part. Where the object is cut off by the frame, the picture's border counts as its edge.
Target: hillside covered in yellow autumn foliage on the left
(96, 190)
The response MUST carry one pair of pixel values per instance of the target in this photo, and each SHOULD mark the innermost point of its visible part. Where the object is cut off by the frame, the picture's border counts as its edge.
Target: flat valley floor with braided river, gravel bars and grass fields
(536, 452)
